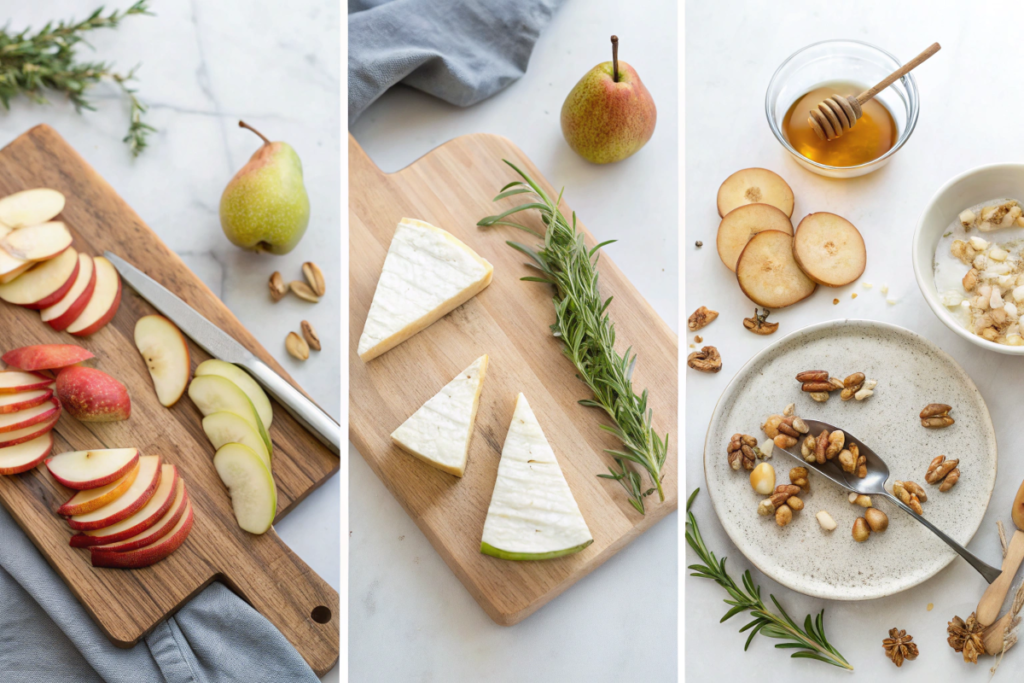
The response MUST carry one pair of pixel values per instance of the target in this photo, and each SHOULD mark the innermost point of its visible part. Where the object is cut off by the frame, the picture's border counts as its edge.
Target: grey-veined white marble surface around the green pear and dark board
(204, 66)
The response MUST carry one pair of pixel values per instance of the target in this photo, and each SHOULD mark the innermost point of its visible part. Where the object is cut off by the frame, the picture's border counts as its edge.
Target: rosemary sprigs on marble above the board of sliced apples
(31, 64)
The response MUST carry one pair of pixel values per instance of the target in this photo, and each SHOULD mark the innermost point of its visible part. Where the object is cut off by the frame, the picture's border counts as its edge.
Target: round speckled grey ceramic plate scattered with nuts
(912, 373)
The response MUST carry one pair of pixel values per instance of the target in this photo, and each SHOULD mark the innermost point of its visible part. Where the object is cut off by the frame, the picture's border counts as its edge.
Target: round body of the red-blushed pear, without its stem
(605, 121)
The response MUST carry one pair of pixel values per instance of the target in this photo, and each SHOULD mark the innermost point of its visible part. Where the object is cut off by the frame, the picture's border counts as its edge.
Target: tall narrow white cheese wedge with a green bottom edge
(533, 515)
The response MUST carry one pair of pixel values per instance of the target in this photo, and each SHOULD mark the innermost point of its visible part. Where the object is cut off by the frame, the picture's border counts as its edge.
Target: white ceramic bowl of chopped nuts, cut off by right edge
(977, 186)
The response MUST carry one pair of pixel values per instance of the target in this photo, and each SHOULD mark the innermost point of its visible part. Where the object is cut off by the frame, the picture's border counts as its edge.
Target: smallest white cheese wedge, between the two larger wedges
(440, 433)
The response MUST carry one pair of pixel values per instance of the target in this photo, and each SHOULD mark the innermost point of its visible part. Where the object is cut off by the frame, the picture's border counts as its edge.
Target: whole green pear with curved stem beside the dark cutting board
(266, 206)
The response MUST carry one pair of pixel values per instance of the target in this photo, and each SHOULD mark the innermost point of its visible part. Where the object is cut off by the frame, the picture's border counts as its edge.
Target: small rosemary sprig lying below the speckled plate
(809, 642)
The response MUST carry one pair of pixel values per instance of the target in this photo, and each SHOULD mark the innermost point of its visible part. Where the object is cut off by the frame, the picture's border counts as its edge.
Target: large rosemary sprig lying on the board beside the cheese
(583, 324)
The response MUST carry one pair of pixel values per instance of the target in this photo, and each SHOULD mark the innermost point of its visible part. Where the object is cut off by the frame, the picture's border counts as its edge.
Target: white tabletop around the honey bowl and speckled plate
(731, 58)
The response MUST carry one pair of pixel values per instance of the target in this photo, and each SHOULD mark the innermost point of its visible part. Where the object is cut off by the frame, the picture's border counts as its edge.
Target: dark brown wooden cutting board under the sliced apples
(127, 605)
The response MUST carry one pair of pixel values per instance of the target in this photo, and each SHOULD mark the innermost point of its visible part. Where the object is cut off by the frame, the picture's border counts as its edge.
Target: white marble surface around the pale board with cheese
(410, 618)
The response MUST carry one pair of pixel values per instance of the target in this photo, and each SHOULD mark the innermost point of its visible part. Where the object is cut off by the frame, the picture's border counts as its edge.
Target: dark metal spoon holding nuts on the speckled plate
(874, 485)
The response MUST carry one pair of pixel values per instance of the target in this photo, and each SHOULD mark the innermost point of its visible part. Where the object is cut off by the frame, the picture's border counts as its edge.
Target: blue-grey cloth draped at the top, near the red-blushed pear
(460, 52)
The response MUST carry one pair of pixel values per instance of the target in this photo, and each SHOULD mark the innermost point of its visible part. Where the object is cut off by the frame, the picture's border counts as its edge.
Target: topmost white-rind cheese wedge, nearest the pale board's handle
(428, 274)
